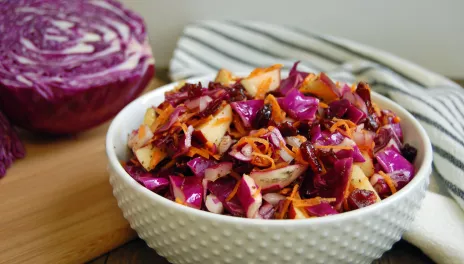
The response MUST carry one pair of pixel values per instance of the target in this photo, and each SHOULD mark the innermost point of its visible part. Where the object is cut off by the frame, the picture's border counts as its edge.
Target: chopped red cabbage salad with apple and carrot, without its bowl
(270, 148)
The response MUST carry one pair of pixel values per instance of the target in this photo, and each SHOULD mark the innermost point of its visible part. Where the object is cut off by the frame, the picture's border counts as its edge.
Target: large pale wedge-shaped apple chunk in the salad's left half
(216, 128)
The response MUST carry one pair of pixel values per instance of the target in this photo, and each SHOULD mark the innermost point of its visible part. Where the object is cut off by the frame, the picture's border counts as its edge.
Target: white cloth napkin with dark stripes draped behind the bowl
(435, 101)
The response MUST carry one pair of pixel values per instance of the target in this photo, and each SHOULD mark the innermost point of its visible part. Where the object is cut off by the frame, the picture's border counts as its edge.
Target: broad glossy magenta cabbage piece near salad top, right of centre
(299, 106)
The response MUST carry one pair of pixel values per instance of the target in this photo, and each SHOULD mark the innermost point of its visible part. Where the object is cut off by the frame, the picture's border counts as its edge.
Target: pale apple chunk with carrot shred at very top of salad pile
(253, 82)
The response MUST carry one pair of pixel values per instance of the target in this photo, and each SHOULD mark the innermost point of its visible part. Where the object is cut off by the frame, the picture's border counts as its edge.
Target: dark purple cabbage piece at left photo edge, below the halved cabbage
(11, 148)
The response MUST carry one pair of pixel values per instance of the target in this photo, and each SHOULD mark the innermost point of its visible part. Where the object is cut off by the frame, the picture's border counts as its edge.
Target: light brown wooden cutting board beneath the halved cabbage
(56, 205)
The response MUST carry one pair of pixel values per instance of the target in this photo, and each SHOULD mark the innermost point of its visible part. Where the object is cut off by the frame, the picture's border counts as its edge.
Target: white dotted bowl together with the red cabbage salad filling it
(268, 168)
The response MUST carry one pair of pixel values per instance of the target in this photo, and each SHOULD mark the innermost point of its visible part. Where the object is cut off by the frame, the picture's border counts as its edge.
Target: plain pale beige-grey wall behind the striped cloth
(428, 32)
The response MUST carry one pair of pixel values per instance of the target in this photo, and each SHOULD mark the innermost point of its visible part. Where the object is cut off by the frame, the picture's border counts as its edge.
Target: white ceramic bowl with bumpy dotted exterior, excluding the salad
(186, 235)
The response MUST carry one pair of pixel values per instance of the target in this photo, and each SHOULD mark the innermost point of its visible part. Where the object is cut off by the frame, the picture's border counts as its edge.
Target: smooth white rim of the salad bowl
(423, 172)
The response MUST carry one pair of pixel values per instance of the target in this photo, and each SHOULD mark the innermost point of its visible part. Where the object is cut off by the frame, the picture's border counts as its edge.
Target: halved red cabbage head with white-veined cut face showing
(70, 65)
